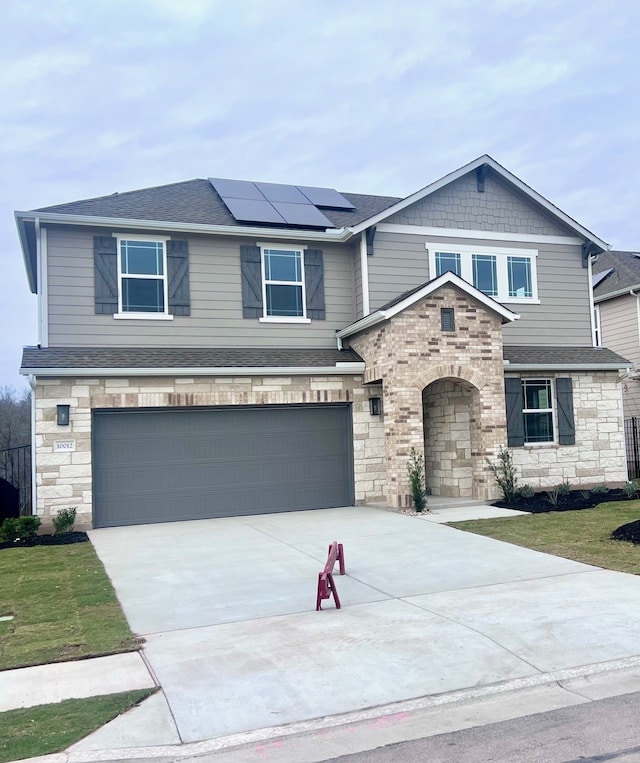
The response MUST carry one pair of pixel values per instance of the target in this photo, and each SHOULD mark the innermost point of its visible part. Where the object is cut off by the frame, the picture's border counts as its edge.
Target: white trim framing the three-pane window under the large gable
(501, 255)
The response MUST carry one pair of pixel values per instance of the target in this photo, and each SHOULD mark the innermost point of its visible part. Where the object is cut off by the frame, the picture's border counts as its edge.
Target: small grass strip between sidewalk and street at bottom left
(45, 729)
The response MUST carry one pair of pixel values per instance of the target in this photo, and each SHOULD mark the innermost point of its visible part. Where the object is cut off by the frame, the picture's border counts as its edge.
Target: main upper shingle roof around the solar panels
(195, 201)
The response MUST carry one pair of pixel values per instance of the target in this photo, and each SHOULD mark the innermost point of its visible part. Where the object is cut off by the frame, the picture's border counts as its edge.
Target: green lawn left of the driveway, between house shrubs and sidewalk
(63, 604)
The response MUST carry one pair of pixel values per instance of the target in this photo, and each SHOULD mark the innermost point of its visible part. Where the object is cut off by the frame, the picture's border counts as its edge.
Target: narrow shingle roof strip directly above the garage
(180, 357)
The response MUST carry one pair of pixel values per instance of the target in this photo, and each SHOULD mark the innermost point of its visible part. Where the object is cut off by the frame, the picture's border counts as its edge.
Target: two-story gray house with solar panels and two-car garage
(214, 347)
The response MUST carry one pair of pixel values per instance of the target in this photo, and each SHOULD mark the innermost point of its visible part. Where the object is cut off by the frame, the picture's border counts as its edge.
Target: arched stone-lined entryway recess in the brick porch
(452, 437)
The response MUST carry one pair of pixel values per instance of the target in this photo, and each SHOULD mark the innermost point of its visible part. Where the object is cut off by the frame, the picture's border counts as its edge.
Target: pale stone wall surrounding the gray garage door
(64, 479)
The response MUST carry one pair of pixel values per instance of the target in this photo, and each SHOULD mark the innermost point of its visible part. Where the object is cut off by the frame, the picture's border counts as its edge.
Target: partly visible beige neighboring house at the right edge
(616, 296)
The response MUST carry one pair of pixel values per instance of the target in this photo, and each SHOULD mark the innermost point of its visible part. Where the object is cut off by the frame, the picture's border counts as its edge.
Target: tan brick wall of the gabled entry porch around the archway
(409, 352)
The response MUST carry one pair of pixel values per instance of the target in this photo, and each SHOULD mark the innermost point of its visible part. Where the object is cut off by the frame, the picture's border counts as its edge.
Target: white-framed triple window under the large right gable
(507, 275)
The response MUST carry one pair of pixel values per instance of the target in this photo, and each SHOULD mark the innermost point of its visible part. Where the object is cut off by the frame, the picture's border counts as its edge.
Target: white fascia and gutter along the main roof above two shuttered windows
(337, 234)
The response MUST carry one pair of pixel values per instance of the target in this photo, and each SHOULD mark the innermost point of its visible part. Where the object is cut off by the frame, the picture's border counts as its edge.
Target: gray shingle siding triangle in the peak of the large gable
(498, 208)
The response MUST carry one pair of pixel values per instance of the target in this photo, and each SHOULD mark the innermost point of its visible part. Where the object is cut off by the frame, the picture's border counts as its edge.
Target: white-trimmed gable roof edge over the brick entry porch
(409, 298)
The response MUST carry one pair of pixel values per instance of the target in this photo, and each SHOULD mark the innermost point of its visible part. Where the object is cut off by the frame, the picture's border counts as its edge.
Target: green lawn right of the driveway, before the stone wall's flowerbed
(579, 535)
